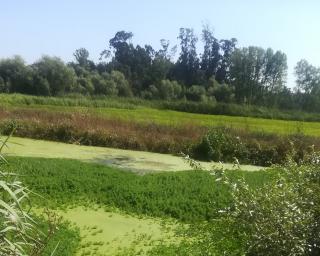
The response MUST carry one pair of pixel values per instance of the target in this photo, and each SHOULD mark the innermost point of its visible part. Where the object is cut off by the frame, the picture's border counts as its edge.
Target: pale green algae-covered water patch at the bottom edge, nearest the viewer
(112, 233)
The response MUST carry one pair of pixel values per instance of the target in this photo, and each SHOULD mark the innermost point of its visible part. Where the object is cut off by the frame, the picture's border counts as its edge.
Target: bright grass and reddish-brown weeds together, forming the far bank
(123, 129)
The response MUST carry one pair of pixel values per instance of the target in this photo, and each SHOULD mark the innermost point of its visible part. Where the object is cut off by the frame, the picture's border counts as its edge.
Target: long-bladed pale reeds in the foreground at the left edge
(18, 231)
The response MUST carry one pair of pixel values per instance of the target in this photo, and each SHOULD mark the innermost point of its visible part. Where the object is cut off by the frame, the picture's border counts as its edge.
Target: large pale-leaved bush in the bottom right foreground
(282, 217)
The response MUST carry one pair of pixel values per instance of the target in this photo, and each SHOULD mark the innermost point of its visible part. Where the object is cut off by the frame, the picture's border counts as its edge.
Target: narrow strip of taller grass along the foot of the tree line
(178, 105)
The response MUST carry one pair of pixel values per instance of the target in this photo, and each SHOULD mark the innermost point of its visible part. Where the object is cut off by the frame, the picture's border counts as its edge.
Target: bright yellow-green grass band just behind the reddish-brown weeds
(142, 114)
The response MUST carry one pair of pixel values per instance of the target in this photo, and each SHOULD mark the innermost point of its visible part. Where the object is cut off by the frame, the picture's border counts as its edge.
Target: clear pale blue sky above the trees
(32, 28)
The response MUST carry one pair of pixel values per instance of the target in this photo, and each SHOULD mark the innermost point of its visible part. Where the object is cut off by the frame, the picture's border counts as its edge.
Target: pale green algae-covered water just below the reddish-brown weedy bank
(127, 159)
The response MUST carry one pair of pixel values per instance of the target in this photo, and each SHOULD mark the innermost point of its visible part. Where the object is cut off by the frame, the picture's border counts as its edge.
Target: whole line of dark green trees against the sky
(222, 72)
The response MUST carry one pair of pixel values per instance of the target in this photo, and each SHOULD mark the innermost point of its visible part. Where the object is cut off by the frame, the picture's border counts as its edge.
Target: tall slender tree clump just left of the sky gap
(256, 72)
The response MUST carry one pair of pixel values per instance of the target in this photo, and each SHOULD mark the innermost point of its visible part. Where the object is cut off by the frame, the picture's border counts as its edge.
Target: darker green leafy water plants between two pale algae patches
(187, 196)
